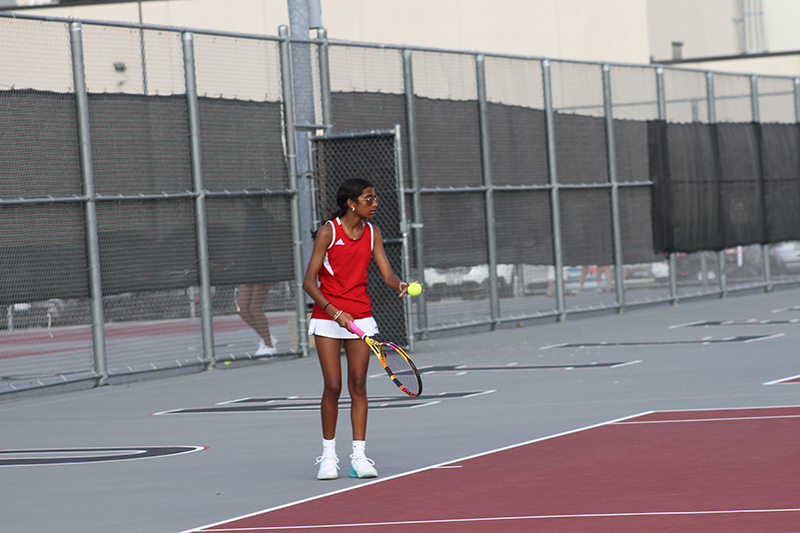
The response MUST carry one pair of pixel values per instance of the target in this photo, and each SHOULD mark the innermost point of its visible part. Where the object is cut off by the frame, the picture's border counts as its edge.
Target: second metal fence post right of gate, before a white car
(486, 167)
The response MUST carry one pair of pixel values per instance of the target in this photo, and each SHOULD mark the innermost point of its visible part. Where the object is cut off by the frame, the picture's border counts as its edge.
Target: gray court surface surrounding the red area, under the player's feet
(176, 454)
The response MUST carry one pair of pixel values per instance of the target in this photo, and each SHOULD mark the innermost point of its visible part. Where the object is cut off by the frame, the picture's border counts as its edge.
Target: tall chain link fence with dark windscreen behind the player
(158, 188)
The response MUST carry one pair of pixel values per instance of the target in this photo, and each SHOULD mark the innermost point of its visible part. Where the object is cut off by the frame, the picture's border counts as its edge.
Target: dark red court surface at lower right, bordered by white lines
(728, 470)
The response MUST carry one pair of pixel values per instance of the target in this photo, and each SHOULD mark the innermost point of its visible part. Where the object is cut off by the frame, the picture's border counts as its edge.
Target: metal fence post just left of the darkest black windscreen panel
(616, 227)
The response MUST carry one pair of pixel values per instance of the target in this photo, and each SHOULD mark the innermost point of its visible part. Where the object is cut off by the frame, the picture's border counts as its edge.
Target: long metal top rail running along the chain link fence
(220, 33)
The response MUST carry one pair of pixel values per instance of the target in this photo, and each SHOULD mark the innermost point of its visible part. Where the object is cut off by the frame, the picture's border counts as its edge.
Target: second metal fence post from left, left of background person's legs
(201, 232)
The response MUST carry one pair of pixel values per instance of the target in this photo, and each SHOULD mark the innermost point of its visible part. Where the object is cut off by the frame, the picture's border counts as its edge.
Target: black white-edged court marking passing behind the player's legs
(298, 403)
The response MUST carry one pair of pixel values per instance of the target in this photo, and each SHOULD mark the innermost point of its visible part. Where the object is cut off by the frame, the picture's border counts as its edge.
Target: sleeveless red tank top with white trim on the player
(343, 276)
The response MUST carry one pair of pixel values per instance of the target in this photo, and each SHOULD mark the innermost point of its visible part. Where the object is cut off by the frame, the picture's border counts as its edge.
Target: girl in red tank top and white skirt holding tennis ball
(343, 248)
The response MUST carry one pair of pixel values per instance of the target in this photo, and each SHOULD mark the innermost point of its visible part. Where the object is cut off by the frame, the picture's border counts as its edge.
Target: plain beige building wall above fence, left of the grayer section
(598, 30)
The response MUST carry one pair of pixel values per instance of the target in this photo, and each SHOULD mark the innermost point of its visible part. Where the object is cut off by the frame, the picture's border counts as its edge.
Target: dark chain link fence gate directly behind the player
(374, 156)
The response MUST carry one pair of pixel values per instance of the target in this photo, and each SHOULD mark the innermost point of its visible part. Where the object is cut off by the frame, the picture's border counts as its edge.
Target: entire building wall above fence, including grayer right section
(625, 31)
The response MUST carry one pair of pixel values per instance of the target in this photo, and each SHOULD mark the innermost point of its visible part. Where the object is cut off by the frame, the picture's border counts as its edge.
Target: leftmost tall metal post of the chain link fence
(90, 207)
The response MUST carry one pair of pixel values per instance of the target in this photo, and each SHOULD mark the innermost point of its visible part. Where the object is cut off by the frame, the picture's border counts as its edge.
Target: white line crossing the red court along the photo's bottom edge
(507, 518)
